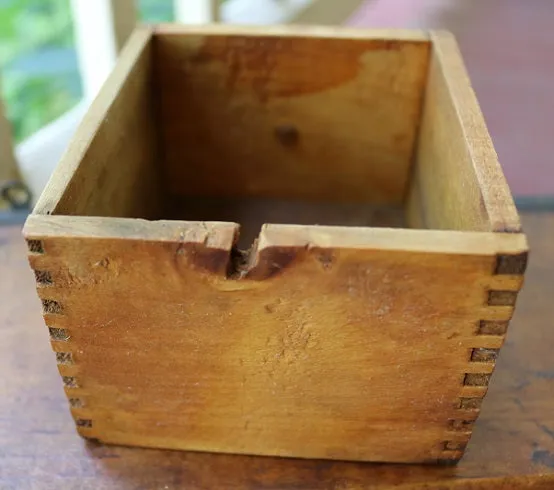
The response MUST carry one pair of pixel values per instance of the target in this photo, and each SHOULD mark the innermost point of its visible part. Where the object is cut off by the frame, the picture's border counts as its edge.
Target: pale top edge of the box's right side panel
(497, 197)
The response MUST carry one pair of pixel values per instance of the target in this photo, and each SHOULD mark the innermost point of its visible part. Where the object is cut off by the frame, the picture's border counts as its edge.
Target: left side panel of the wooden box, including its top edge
(111, 167)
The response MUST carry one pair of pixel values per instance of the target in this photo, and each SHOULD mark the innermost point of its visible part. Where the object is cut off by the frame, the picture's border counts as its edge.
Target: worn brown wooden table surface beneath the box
(512, 446)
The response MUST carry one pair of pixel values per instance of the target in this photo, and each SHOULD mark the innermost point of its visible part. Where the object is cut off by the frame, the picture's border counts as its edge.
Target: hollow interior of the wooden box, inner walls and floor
(279, 129)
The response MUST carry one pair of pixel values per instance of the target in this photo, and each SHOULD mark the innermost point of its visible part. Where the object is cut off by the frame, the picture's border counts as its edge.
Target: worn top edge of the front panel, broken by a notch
(278, 235)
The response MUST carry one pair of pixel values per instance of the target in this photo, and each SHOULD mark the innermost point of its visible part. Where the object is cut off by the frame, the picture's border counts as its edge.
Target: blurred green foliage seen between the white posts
(38, 64)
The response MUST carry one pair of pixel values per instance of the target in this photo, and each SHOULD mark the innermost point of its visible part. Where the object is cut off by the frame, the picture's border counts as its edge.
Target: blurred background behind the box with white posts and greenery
(55, 55)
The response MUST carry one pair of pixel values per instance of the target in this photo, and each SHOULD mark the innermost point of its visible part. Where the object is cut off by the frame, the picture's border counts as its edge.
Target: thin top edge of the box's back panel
(336, 32)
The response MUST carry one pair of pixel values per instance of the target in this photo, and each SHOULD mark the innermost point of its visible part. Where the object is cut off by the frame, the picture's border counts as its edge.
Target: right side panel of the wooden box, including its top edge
(457, 183)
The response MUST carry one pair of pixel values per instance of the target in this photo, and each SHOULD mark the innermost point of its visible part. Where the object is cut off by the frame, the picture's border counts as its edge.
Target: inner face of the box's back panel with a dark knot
(292, 116)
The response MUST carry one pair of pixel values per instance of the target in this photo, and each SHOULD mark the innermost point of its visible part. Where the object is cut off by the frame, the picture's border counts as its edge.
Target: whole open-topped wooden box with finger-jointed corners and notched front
(361, 323)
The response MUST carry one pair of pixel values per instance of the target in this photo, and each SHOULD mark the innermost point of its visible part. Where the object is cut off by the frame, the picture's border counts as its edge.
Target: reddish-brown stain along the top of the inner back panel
(269, 67)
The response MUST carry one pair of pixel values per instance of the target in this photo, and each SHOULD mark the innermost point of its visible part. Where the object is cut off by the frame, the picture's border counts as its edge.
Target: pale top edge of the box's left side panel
(87, 129)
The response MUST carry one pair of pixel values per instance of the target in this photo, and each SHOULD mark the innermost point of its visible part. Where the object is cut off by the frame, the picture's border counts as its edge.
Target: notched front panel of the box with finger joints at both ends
(361, 353)
